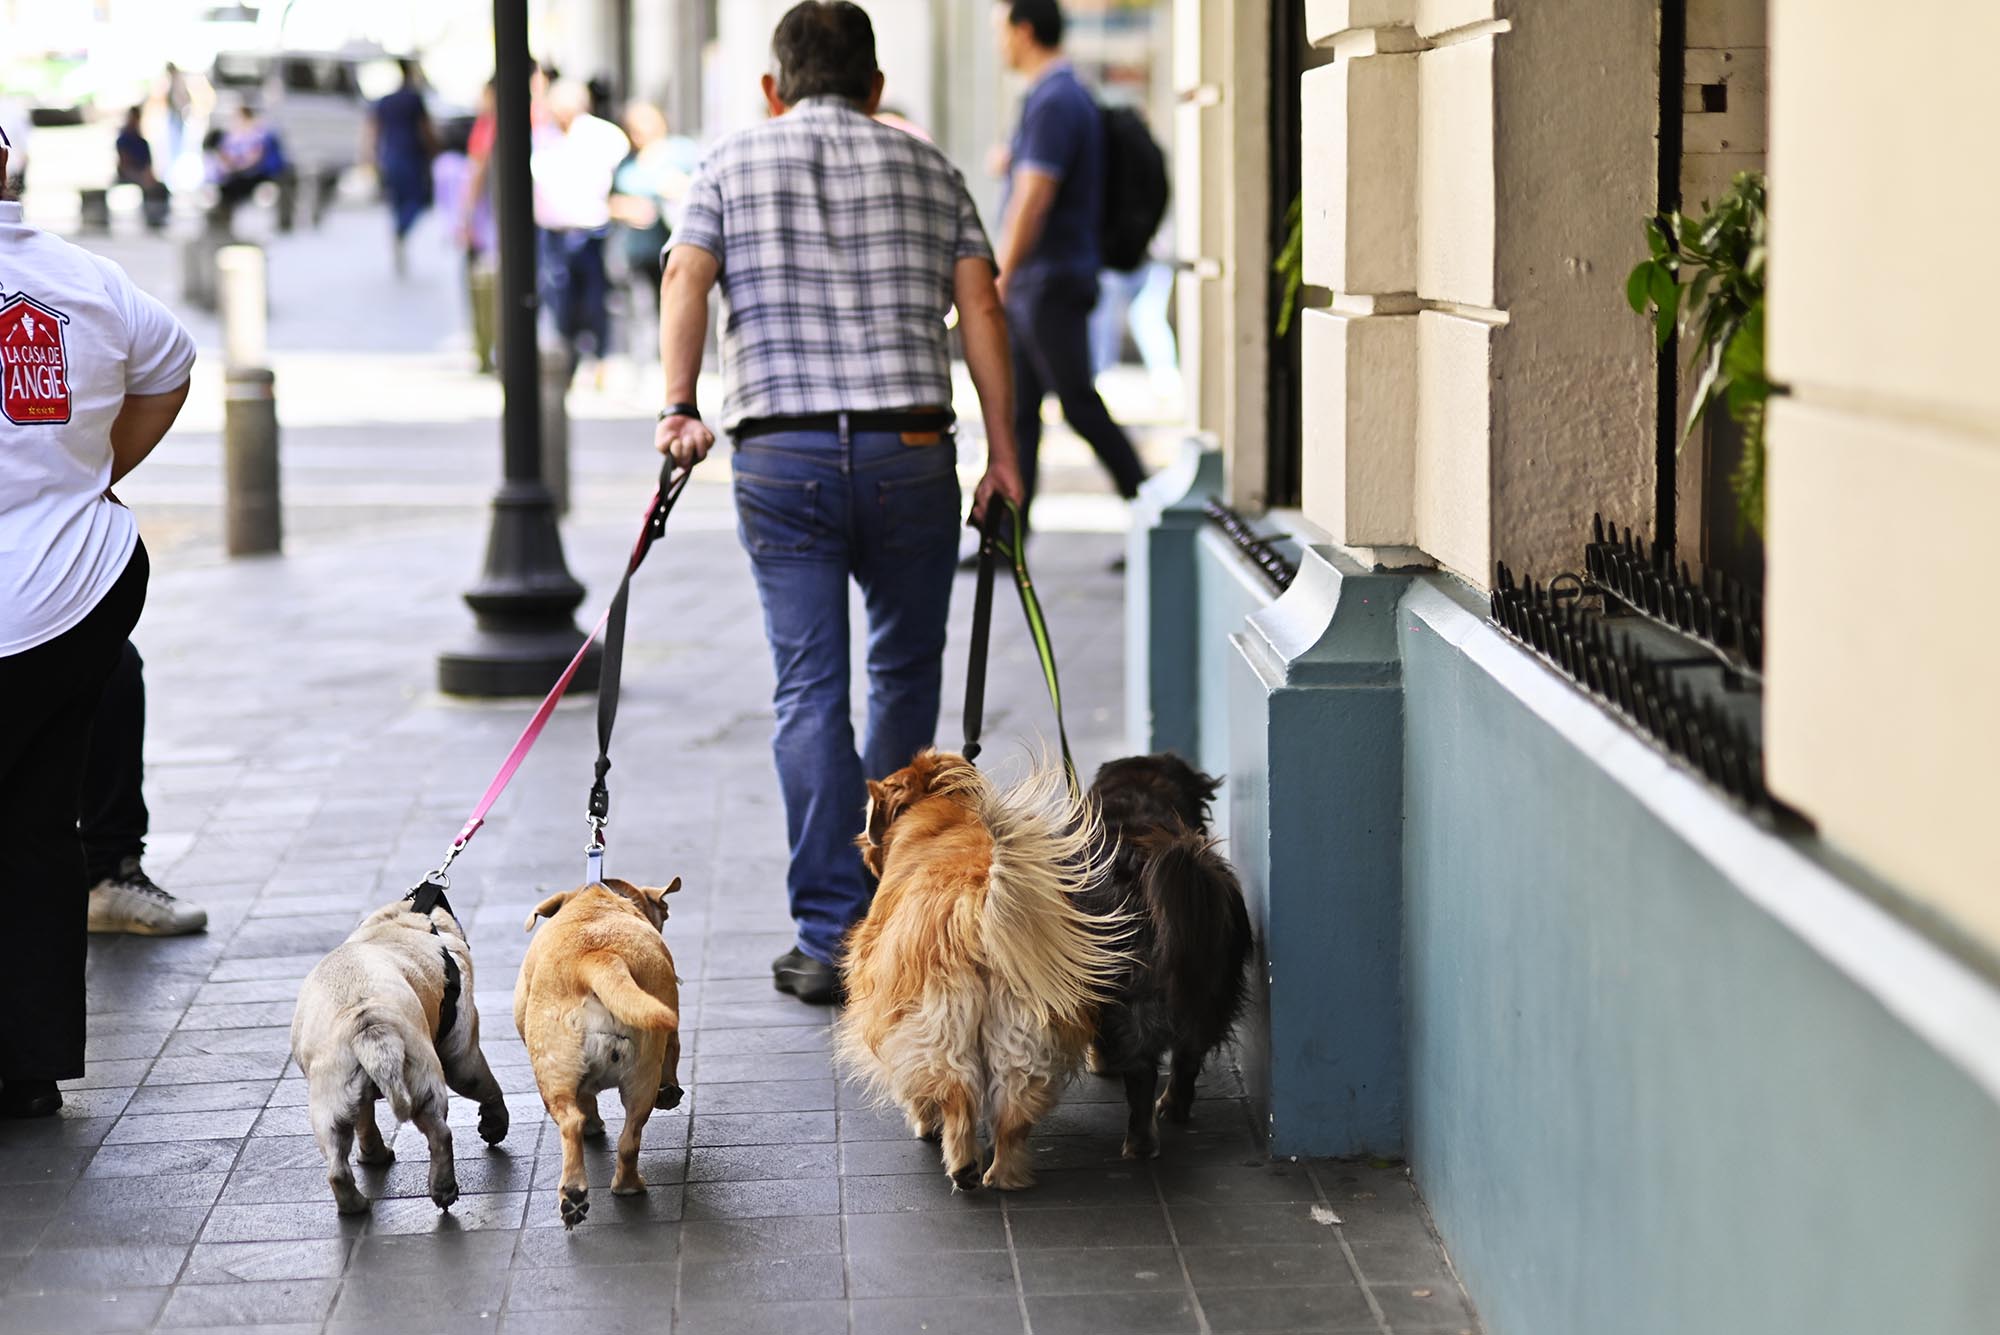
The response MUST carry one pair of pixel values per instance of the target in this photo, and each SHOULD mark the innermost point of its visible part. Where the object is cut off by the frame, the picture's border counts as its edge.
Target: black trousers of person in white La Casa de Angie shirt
(51, 694)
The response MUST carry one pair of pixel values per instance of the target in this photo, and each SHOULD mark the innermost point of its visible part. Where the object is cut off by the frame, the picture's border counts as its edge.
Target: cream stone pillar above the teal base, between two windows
(1523, 143)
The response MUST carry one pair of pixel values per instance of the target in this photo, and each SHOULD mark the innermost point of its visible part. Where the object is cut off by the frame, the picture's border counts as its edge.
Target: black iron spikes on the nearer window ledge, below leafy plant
(1679, 659)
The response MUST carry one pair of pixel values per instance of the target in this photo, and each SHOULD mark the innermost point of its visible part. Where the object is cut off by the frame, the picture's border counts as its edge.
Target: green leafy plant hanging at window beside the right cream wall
(1705, 277)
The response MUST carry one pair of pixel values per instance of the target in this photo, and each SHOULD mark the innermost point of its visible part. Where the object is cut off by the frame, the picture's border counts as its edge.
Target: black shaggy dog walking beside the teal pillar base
(1183, 984)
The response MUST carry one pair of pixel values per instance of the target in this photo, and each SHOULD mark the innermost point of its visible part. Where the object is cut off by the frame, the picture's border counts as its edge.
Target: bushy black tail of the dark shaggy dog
(1201, 928)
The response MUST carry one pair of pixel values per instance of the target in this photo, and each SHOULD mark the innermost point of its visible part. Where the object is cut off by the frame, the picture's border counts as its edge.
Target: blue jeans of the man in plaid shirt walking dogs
(813, 511)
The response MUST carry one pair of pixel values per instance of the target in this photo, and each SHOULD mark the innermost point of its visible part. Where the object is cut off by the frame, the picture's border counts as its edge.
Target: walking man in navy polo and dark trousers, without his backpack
(1049, 243)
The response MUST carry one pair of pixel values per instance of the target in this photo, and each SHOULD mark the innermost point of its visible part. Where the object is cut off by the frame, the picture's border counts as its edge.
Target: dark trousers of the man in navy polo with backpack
(1049, 329)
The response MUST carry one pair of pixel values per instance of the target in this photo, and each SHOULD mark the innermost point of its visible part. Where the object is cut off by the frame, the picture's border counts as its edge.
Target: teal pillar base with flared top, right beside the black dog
(1317, 836)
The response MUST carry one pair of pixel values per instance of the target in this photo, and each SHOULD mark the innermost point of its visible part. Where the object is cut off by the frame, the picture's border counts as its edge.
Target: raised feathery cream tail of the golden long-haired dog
(1059, 960)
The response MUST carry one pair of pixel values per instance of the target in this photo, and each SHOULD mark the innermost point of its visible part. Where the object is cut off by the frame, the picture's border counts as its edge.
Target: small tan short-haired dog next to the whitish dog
(599, 1008)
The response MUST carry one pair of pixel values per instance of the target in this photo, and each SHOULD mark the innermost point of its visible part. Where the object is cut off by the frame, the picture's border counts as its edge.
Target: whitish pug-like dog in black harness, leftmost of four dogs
(389, 1014)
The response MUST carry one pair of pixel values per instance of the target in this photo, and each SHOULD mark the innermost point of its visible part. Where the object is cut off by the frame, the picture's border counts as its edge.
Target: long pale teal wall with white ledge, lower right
(1667, 1074)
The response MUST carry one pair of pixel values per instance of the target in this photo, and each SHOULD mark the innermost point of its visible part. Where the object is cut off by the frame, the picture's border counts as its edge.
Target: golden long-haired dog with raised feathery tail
(975, 980)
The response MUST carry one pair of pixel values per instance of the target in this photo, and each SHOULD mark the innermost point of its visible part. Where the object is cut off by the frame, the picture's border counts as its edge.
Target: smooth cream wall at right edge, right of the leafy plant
(1885, 461)
